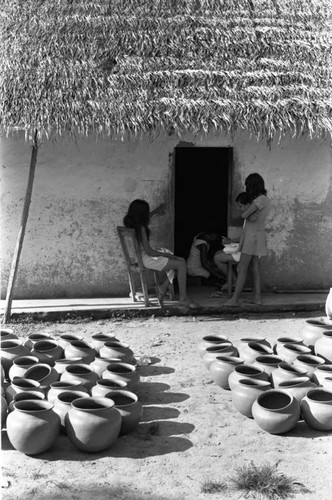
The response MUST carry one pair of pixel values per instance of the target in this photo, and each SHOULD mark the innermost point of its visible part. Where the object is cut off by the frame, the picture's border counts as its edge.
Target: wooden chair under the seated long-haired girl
(134, 263)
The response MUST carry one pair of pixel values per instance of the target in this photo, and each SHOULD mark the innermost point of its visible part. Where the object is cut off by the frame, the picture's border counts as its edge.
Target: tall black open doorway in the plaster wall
(201, 194)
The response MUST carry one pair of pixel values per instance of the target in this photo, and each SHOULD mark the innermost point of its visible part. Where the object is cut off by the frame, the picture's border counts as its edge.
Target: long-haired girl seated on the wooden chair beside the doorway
(138, 218)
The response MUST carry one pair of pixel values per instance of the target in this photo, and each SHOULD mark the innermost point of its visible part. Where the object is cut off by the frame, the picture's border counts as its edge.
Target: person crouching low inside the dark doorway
(198, 262)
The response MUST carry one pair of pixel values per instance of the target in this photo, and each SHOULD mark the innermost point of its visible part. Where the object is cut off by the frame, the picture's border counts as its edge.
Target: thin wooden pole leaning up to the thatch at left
(20, 236)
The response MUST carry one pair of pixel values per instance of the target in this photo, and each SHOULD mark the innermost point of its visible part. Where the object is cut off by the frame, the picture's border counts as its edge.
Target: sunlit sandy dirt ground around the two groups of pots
(190, 432)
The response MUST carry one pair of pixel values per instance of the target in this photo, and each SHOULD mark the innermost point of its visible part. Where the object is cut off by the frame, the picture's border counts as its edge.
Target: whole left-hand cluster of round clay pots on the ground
(88, 394)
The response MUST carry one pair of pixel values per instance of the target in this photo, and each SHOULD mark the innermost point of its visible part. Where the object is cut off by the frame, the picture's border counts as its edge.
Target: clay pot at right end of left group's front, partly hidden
(129, 407)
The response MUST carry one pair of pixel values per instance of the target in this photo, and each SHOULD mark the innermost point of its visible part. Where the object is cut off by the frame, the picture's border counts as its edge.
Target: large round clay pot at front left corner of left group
(32, 427)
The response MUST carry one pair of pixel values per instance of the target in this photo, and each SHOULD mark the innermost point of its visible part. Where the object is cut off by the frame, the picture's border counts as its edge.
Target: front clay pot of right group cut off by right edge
(316, 409)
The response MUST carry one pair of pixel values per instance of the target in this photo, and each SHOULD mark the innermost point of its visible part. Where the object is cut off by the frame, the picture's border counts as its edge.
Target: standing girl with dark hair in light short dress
(253, 239)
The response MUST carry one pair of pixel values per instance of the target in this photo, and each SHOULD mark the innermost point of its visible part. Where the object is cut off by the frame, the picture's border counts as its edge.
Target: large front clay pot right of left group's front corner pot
(93, 424)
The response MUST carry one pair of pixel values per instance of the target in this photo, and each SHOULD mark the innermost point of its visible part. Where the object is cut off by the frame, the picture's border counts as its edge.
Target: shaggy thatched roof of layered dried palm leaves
(122, 67)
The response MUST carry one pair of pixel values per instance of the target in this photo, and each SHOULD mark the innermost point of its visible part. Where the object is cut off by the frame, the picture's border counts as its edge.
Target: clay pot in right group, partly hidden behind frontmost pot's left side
(245, 392)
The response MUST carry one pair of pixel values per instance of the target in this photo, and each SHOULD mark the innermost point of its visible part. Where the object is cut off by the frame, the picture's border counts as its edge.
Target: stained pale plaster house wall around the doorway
(83, 189)
